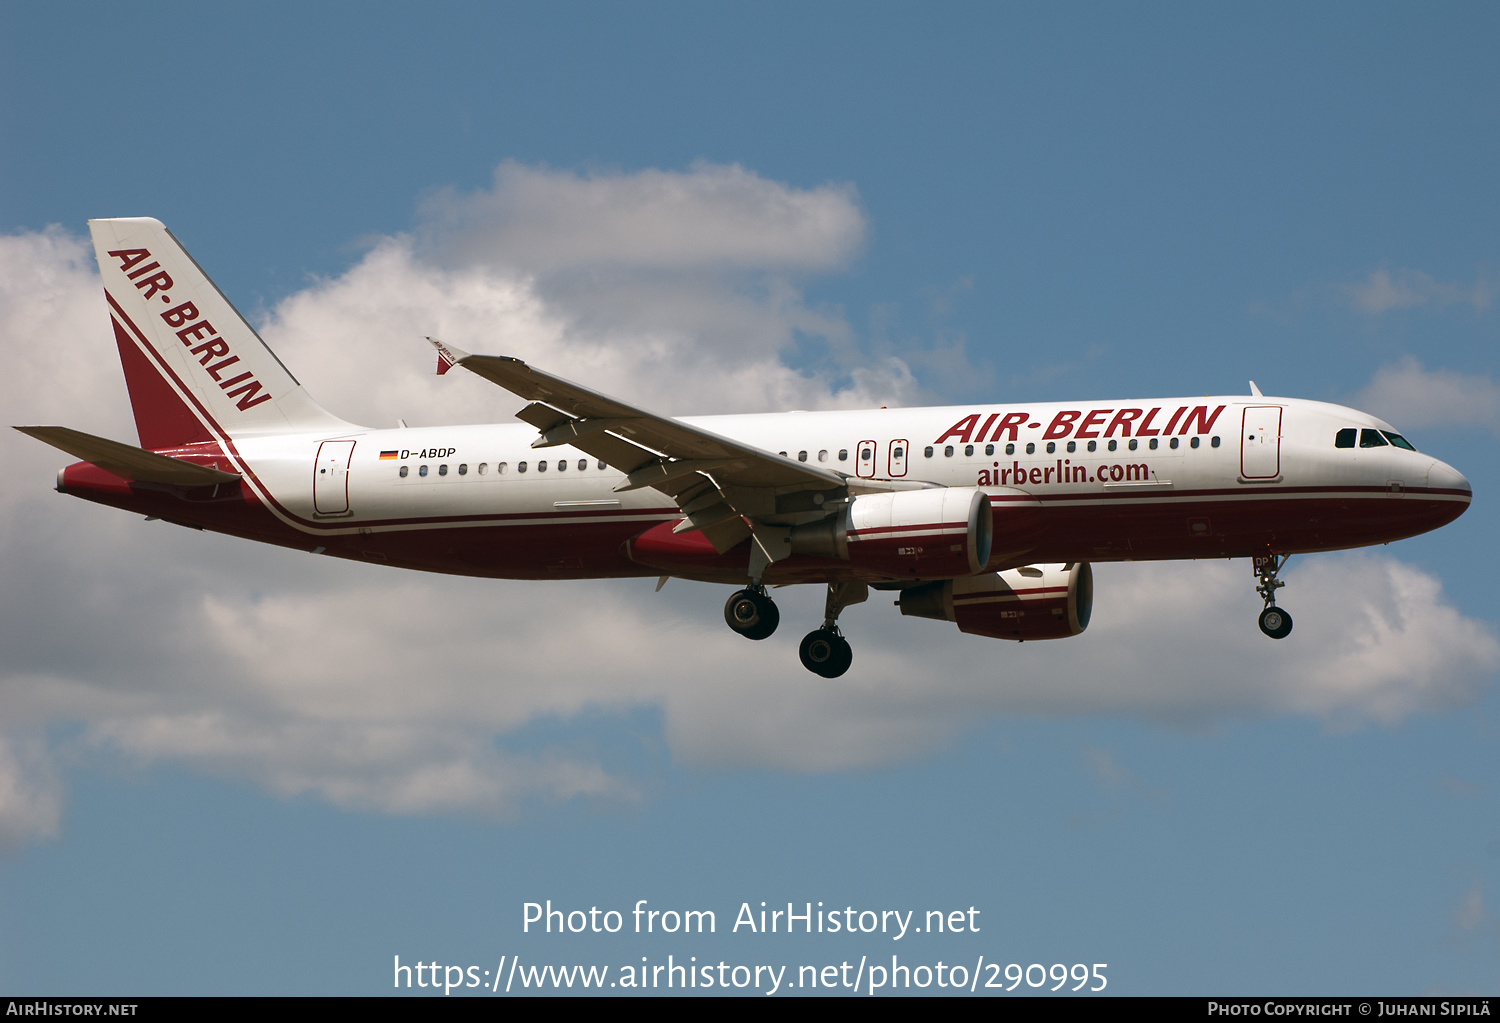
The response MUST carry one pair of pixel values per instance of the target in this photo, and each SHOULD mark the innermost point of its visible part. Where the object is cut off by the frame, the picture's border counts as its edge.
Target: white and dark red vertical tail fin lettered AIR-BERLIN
(196, 370)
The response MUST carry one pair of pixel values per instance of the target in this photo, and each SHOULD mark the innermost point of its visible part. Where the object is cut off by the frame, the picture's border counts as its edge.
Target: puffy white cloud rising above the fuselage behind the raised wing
(673, 290)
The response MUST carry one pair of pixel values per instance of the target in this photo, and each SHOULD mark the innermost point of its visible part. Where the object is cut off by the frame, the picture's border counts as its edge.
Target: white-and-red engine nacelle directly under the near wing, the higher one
(925, 535)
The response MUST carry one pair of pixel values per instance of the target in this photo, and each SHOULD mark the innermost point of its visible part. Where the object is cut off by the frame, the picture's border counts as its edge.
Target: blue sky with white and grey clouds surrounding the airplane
(238, 770)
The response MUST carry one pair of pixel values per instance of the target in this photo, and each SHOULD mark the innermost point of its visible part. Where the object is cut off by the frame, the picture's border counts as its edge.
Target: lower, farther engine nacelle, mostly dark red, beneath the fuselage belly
(1037, 602)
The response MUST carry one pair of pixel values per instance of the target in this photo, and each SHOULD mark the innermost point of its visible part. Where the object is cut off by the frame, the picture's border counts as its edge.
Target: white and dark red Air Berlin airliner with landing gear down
(988, 517)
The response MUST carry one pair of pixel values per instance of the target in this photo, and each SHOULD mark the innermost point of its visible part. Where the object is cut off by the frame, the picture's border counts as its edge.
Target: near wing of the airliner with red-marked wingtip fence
(725, 488)
